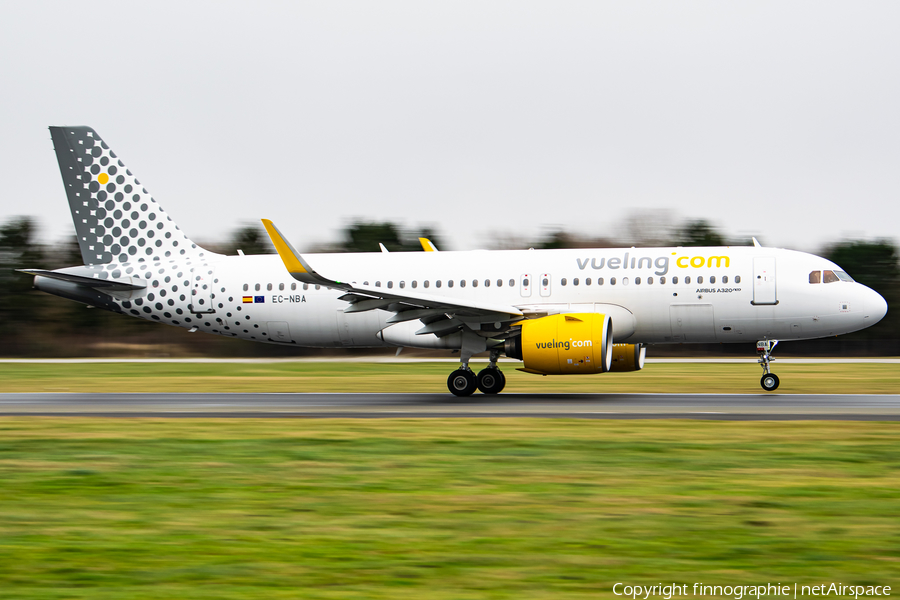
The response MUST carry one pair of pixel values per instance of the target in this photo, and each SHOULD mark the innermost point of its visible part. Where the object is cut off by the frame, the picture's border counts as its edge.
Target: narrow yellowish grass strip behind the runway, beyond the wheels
(432, 377)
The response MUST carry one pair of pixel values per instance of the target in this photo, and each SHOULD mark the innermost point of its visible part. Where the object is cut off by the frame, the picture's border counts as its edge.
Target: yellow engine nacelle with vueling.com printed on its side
(564, 344)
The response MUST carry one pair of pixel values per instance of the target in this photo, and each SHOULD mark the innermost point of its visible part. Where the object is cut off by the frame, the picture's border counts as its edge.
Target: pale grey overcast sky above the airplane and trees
(776, 119)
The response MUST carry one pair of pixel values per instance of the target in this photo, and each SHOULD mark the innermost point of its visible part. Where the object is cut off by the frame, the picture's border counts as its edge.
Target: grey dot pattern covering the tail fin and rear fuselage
(123, 232)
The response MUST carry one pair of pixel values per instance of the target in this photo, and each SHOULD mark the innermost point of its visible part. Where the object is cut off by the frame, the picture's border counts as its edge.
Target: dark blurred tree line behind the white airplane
(36, 324)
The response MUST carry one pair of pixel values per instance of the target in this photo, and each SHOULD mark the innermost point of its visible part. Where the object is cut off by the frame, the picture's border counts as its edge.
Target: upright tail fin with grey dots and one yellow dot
(116, 219)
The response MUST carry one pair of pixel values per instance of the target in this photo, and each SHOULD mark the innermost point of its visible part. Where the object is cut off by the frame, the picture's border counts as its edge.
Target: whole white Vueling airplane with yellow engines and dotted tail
(566, 311)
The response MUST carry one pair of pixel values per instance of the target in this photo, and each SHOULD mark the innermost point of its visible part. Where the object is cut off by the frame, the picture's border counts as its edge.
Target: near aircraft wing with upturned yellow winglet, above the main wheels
(439, 314)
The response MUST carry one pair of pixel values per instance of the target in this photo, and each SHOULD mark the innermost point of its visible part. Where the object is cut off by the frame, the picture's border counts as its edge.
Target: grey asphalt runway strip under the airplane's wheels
(367, 406)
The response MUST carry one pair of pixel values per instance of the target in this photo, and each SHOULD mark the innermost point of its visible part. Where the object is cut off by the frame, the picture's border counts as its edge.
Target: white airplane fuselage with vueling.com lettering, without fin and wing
(653, 295)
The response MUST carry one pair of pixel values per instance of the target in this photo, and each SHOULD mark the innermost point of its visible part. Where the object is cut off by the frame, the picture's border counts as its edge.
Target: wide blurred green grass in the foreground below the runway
(405, 508)
